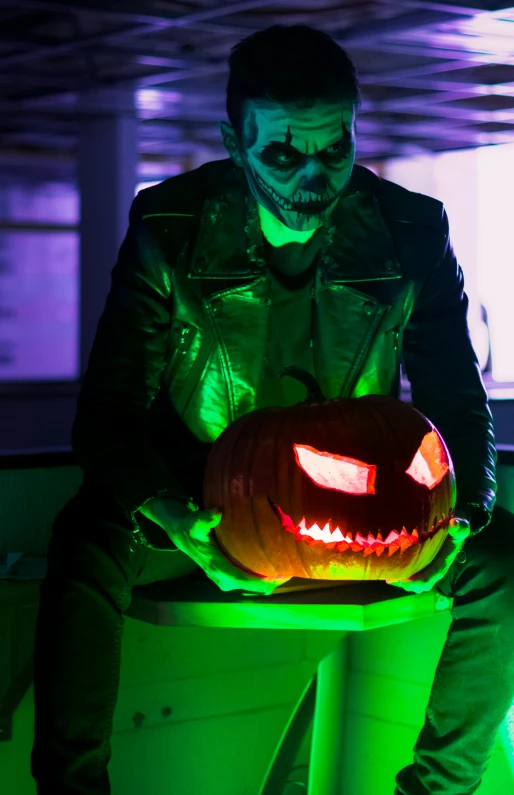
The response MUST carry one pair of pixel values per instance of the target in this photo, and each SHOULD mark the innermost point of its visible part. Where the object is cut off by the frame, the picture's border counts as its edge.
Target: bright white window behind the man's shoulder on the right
(476, 192)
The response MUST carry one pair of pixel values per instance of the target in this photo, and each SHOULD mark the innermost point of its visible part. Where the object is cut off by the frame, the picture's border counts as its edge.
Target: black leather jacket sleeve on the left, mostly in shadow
(109, 434)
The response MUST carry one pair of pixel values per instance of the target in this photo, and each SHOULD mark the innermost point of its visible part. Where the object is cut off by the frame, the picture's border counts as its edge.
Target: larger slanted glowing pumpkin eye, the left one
(332, 471)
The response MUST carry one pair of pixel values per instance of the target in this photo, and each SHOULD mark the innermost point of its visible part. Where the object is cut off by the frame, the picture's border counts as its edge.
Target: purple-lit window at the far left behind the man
(39, 281)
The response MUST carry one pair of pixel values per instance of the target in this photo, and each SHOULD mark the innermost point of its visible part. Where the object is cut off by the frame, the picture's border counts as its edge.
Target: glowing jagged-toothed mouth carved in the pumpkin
(332, 537)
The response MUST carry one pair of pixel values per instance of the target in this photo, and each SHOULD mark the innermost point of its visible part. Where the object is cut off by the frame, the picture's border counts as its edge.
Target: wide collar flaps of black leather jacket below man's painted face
(357, 245)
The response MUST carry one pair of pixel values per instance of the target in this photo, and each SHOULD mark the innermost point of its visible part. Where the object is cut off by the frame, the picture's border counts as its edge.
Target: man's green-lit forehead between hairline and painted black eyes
(270, 121)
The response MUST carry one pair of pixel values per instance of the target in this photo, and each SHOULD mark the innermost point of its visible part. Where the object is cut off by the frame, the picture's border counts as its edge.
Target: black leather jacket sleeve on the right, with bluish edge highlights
(446, 382)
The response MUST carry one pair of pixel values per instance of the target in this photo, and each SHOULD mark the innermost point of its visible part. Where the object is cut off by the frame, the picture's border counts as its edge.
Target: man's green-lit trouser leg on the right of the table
(473, 688)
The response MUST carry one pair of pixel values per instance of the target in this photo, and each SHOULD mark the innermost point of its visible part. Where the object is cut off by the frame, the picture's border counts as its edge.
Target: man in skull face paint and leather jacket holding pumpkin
(286, 253)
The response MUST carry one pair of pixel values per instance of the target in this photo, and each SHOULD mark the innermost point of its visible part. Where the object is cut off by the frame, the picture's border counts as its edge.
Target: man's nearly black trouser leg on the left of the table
(93, 565)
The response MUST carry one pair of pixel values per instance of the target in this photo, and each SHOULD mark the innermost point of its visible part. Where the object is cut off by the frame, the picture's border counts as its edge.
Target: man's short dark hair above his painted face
(290, 64)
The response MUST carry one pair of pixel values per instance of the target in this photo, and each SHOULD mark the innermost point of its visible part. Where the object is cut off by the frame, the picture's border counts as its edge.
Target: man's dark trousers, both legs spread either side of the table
(92, 567)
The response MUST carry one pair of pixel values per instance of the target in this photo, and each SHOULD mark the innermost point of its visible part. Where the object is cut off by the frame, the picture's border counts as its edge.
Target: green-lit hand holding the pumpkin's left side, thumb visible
(190, 532)
